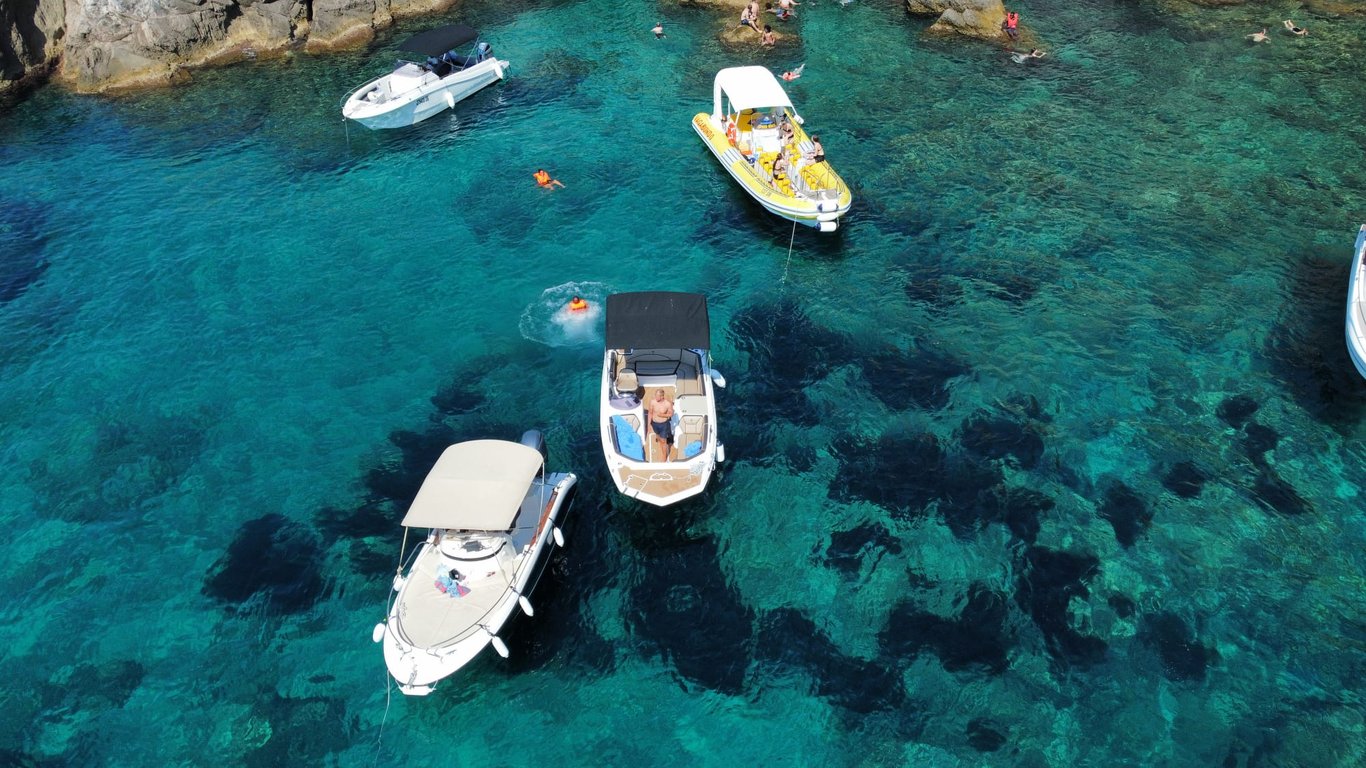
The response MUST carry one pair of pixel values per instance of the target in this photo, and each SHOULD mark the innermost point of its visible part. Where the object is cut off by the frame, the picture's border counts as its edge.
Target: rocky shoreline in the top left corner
(102, 44)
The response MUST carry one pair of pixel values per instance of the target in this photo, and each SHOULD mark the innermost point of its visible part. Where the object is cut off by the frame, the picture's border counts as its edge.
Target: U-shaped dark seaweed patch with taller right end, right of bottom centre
(976, 639)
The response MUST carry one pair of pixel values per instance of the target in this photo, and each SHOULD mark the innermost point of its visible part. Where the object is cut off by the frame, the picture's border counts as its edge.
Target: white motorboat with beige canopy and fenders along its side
(494, 516)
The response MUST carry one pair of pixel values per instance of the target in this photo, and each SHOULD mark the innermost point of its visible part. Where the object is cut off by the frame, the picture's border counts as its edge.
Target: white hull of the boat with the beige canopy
(419, 669)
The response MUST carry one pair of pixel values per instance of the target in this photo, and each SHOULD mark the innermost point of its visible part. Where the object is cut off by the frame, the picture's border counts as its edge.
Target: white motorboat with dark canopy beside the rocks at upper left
(416, 91)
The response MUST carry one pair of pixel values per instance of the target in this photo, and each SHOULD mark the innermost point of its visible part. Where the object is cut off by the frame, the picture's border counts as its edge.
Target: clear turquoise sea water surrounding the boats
(1050, 457)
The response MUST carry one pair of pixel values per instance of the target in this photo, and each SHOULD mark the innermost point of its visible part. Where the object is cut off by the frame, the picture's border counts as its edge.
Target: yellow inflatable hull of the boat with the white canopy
(820, 204)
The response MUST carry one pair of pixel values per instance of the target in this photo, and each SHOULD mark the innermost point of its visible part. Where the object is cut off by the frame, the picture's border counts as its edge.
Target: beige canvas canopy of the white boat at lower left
(476, 486)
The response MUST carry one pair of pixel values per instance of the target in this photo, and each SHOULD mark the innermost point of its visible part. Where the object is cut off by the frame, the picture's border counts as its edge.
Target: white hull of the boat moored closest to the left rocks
(423, 102)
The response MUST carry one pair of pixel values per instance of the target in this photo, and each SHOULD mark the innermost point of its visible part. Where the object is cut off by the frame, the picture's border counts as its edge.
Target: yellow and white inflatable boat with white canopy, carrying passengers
(745, 133)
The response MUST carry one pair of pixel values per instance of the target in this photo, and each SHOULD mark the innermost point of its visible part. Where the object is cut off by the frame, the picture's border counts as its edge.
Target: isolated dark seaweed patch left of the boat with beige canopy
(274, 557)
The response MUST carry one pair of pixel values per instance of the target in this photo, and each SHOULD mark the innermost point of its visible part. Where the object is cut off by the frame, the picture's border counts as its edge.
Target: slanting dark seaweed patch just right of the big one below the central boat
(787, 637)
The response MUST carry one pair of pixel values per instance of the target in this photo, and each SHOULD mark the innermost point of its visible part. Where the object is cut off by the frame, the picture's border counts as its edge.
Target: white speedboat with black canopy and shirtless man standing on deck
(658, 348)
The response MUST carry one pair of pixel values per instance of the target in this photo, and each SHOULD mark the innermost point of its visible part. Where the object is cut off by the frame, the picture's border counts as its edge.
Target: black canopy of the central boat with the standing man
(658, 320)
